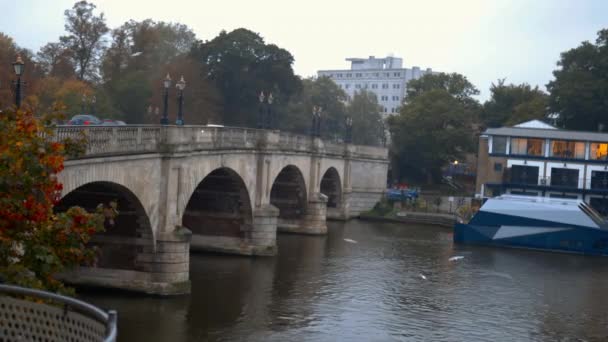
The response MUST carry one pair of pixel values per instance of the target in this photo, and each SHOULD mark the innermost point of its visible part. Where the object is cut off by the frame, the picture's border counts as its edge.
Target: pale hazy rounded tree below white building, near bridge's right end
(368, 127)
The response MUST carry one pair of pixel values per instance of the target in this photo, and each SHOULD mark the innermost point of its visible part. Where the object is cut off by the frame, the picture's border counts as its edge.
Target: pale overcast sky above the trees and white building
(518, 40)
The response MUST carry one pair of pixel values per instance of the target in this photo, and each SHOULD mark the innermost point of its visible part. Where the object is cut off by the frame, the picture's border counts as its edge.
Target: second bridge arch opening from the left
(218, 208)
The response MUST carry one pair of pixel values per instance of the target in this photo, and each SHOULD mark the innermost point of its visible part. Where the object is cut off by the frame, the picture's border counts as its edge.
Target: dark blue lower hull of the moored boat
(571, 239)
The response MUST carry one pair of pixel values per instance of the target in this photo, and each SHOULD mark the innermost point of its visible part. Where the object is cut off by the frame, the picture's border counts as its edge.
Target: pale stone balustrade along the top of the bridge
(137, 139)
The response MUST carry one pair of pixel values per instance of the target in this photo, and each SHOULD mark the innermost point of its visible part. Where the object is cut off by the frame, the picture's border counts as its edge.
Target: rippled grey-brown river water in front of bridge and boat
(395, 284)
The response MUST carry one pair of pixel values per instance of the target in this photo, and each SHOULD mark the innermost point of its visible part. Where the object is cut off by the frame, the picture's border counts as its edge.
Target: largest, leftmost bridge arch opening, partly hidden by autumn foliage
(123, 241)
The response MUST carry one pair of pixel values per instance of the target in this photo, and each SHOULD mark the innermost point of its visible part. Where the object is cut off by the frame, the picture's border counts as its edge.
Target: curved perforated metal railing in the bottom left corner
(68, 320)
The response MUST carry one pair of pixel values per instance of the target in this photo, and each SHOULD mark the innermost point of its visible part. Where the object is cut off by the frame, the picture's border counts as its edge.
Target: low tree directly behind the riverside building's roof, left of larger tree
(512, 104)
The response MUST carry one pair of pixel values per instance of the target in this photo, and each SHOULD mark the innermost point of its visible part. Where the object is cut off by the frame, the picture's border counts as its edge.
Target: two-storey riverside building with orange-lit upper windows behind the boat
(534, 158)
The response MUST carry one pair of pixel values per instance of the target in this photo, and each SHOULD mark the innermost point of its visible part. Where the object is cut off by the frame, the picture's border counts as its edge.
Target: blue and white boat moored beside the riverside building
(560, 225)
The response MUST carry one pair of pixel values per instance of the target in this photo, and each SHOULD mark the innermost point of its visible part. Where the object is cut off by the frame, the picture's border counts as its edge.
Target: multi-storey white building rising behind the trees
(385, 77)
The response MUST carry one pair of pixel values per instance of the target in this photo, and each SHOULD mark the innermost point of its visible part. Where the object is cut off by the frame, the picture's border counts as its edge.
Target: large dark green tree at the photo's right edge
(579, 92)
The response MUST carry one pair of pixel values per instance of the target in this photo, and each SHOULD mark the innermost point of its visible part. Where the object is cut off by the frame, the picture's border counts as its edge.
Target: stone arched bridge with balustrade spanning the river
(206, 188)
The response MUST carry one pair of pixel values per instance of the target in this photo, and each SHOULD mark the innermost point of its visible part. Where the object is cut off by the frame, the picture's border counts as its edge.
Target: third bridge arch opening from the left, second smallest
(288, 193)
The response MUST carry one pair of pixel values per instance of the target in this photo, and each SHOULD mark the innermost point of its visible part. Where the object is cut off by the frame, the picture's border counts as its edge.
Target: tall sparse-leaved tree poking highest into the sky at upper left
(85, 40)
